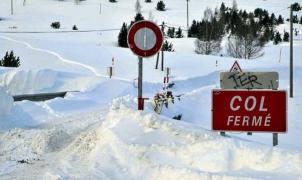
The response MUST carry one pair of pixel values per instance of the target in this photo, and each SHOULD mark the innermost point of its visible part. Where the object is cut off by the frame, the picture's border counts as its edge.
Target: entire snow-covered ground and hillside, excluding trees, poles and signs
(95, 132)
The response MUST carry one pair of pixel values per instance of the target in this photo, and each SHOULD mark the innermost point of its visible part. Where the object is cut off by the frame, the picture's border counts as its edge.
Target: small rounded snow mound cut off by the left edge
(6, 102)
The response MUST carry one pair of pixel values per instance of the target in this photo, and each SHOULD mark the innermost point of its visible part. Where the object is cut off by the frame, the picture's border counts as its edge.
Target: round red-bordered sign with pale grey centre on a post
(145, 38)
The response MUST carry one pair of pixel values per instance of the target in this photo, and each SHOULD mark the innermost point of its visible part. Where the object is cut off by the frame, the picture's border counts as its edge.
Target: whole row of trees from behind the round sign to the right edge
(244, 33)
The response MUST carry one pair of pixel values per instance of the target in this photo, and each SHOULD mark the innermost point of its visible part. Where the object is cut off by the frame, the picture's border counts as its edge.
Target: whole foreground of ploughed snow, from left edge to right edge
(123, 143)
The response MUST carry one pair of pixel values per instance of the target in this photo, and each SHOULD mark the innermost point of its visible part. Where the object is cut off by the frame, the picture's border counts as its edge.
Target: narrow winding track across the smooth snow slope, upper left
(90, 68)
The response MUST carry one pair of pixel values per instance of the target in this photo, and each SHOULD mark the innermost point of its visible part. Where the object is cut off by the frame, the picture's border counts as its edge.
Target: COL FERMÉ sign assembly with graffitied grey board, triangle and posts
(246, 109)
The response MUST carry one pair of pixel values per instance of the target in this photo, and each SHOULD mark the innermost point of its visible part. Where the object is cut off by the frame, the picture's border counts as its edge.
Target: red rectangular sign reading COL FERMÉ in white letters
(249, 110)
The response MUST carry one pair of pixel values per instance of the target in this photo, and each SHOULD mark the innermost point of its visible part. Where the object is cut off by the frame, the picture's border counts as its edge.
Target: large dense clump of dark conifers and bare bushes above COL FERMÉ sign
(246, 32)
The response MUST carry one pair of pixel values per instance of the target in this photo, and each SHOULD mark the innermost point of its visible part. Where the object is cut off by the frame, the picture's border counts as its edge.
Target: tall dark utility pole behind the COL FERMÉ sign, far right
(291, 82)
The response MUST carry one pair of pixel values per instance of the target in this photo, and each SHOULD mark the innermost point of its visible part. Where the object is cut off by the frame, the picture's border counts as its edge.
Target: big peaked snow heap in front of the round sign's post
(137, 145)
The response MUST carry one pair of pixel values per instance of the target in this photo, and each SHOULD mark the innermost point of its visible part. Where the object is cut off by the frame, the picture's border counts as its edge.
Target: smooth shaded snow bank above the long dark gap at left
(45, 80)
